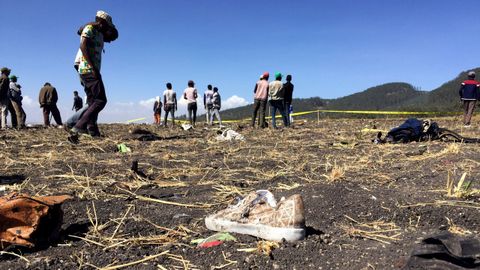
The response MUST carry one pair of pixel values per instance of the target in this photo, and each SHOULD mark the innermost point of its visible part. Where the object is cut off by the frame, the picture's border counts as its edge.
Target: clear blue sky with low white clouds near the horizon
(331, 48)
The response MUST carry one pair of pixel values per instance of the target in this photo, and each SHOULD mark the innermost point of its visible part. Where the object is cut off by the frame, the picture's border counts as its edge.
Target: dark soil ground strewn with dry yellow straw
(366, 205)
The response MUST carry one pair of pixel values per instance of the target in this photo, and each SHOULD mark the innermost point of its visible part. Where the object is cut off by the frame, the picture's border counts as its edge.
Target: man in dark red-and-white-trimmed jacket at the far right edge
(469, 93)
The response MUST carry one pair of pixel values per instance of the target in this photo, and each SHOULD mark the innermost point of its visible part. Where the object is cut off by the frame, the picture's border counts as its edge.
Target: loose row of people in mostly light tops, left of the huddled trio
(212, 103)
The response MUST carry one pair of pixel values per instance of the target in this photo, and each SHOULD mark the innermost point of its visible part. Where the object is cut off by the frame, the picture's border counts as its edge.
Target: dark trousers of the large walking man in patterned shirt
(96, 99)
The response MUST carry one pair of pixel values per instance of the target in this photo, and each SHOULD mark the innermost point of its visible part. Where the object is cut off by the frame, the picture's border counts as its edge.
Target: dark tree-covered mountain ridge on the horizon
(390, 96)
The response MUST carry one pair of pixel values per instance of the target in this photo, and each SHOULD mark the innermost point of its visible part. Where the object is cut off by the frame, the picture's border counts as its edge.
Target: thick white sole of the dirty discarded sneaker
(262, 231)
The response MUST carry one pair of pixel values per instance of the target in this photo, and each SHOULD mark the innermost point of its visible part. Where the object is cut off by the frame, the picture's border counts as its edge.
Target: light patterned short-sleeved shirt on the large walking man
(94, 39)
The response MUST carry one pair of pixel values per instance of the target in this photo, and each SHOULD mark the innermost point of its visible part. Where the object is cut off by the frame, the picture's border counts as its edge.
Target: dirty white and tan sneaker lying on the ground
(256, 215)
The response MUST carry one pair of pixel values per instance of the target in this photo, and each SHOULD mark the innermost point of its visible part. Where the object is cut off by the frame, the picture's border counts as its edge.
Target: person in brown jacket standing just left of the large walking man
(48, 101)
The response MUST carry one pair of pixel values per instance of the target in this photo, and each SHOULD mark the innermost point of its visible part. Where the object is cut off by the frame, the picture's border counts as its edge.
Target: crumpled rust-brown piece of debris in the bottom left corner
(30, 221)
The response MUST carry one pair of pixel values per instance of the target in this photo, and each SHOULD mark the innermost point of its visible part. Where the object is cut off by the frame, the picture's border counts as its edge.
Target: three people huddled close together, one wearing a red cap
(279, 96)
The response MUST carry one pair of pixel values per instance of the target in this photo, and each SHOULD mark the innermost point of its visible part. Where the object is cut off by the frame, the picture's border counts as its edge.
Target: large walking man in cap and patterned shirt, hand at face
(88, 59)
